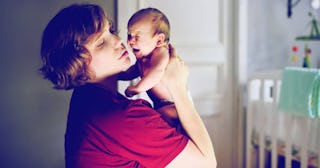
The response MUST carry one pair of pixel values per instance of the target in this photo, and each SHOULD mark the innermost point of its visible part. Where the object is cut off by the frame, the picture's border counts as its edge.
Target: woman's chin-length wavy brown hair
(64, 57)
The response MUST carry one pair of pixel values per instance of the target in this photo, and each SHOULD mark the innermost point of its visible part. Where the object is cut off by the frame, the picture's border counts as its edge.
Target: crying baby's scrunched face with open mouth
(141, 38)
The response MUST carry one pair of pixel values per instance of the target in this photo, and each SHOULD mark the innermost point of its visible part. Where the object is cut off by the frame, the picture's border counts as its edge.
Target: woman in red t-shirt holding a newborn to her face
(105, 129)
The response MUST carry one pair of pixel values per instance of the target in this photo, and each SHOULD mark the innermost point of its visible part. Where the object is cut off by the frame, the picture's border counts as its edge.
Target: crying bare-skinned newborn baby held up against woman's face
(148, 37)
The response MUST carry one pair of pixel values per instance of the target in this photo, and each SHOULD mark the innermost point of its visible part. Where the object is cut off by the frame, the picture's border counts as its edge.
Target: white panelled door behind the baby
(201, 33)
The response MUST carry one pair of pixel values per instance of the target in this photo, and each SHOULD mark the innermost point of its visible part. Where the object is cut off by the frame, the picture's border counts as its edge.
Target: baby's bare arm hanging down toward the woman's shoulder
(158, 62)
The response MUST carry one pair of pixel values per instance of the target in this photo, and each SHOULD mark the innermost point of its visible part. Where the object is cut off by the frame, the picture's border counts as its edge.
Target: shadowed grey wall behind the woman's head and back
(32, 114)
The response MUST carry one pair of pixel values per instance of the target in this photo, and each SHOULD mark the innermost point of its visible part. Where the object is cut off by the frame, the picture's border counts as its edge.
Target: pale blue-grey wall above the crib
(271, 34)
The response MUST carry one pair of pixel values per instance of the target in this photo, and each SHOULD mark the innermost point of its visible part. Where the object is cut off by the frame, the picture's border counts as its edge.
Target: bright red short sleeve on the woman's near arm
(145, 137)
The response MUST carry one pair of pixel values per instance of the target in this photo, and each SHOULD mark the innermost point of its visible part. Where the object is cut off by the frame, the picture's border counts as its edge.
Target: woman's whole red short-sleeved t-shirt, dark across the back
(109, 130)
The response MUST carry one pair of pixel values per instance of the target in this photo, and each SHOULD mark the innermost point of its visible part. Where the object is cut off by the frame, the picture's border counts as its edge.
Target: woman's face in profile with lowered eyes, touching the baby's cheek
(108, 54)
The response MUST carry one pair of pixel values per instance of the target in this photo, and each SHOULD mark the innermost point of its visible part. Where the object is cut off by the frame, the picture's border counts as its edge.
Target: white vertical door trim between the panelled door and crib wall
(240, 74)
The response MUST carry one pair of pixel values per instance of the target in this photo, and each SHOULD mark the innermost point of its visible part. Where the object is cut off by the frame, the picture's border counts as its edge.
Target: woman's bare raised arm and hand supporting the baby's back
(199, 152)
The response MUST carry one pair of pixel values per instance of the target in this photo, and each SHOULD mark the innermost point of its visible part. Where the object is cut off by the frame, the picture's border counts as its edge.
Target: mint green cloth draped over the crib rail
(299, 92)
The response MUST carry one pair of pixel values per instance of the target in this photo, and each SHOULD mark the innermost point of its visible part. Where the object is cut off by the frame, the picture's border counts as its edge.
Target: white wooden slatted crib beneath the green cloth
(275, 138)
